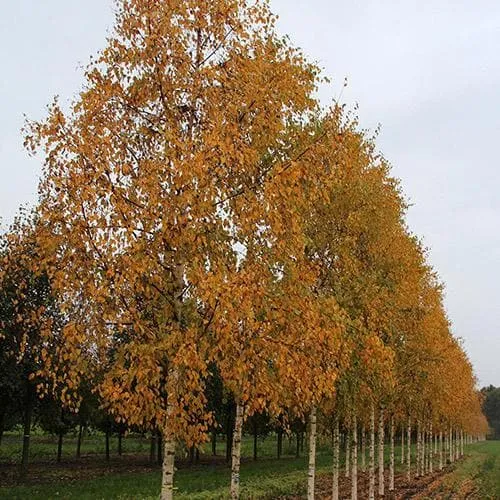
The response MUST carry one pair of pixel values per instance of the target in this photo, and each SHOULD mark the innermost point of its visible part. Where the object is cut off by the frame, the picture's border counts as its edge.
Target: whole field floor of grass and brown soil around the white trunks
(132, 476)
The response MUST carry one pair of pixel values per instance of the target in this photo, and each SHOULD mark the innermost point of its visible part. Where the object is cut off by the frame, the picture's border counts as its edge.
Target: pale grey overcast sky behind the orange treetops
(428, 71)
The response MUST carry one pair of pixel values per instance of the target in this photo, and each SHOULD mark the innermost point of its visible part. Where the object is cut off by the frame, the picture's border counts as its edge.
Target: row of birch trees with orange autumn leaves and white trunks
(202, 218)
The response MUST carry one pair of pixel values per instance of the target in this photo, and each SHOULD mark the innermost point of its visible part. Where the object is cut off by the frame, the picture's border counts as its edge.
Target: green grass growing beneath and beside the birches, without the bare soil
(265, 478)
